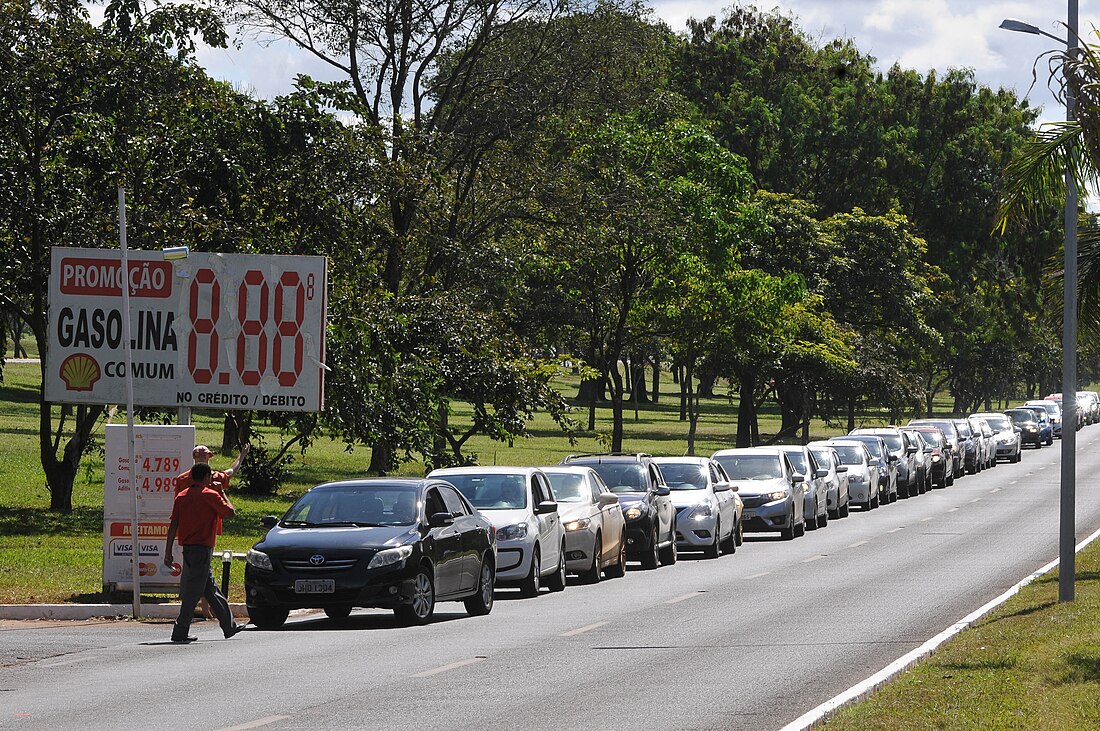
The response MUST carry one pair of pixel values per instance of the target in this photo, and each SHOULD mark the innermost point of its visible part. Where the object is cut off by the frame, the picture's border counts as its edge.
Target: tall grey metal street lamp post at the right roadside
(1069, 479)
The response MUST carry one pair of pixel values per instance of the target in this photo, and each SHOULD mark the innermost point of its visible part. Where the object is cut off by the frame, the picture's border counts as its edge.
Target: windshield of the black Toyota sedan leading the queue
(355, 505)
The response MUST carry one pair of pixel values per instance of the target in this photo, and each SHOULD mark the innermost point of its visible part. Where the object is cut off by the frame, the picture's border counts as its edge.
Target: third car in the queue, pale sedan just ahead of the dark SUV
(596, 530)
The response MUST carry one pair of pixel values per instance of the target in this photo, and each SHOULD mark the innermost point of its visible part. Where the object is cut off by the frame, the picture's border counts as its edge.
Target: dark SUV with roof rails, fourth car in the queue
(644, 497)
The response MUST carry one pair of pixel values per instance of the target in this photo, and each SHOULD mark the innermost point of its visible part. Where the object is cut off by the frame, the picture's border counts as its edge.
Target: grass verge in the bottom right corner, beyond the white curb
(1031, 664)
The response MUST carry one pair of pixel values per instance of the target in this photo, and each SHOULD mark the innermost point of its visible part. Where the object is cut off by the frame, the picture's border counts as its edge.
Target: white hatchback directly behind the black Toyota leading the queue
(530, 535)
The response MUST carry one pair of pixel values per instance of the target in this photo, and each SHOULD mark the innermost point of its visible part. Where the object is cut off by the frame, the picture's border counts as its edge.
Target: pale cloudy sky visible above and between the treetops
(919, 35)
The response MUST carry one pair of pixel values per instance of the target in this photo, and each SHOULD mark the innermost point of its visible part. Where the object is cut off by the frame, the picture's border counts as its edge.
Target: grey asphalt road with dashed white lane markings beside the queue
(747, 641)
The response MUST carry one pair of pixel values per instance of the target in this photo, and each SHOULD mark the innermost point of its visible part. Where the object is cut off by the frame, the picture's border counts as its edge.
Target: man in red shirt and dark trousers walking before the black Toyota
(196, 516)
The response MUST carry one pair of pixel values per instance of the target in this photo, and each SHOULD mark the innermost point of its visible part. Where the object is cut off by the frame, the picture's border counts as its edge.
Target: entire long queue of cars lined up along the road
(458, 535)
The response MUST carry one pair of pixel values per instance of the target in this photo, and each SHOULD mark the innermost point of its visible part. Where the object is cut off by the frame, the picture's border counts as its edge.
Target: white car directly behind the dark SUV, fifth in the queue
(709, 511)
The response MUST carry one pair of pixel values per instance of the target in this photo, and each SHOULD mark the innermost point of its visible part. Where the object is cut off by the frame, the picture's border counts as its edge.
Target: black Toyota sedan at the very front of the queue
(401, 545)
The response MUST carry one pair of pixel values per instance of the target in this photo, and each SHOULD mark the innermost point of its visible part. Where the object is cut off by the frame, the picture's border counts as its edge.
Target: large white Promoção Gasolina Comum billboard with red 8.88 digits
(218, 331)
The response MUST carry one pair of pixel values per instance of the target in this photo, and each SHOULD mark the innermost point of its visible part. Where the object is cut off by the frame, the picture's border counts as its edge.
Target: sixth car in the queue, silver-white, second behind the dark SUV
(771, 488)
